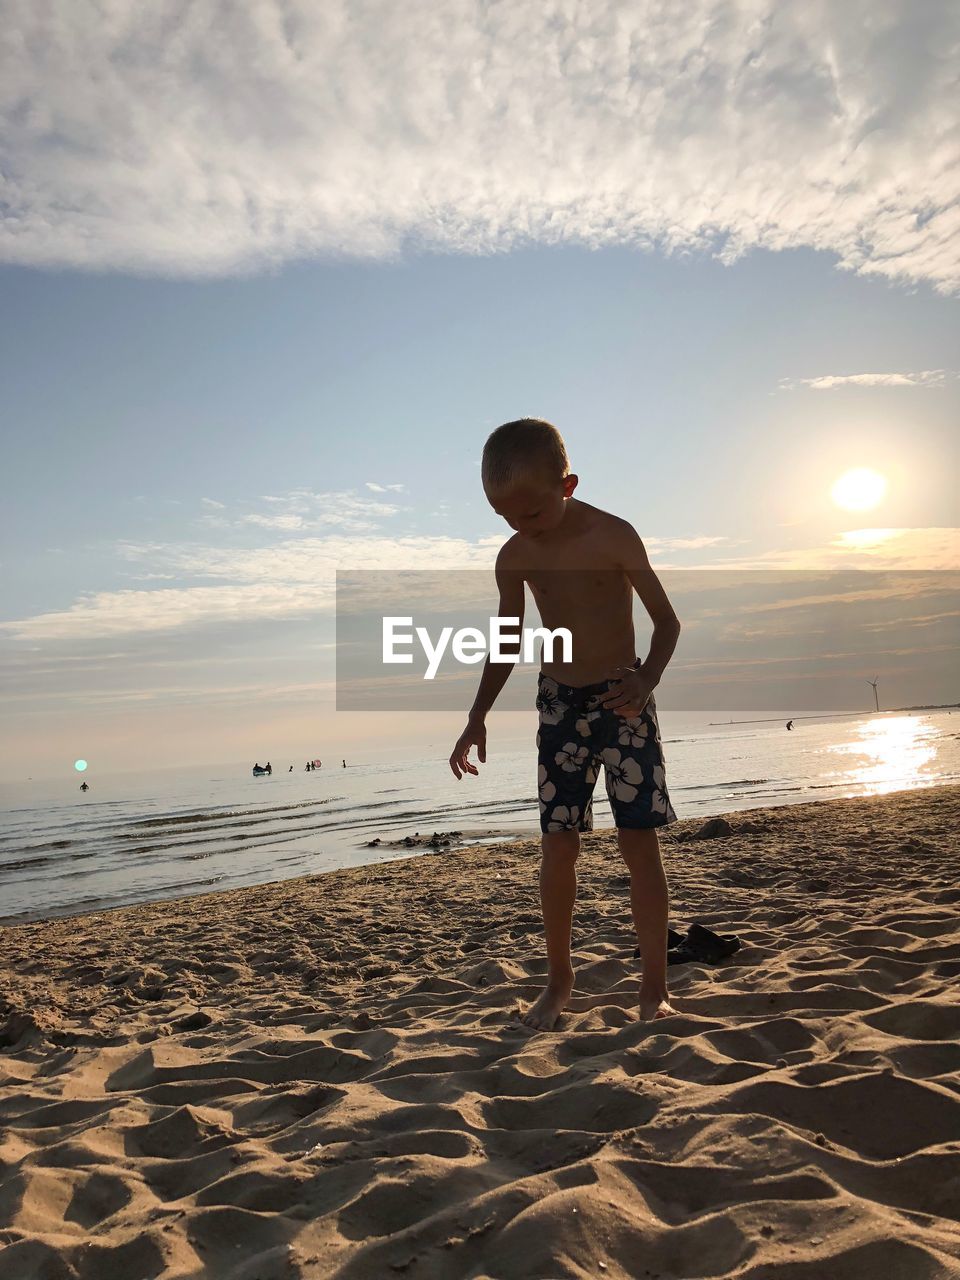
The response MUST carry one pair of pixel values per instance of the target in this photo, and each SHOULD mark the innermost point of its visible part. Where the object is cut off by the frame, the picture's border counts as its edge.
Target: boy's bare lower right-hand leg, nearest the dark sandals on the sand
(650, 904)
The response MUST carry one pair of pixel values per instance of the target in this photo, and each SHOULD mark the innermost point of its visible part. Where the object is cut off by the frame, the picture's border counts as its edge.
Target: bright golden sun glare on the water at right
(890, 756)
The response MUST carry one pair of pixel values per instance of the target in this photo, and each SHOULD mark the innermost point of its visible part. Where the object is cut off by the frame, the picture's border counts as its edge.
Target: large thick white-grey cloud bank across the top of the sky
(220, 139)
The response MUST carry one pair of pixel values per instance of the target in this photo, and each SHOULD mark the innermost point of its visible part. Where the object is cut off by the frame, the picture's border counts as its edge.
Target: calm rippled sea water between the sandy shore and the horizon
(139, 838)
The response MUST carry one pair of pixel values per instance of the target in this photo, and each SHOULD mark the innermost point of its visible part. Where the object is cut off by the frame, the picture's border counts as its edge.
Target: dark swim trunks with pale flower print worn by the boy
(577, 737)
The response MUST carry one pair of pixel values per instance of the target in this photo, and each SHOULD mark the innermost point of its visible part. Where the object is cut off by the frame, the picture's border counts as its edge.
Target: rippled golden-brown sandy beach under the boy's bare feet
(323, 1077)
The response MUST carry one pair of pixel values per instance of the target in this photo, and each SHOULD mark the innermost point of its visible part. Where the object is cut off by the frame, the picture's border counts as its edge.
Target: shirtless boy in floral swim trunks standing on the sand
(583, 566)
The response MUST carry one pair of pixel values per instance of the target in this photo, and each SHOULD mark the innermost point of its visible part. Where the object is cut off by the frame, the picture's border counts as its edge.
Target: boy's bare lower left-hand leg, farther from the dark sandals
(559, 890)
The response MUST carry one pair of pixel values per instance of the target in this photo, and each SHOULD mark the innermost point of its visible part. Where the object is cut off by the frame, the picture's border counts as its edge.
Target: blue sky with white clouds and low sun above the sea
(269, 278)
